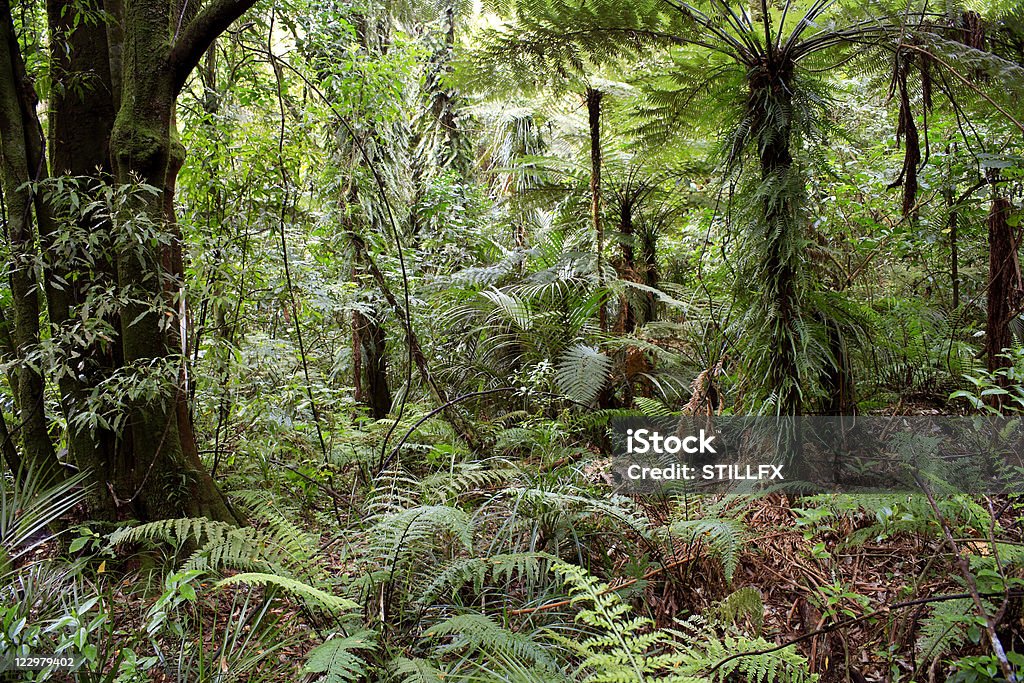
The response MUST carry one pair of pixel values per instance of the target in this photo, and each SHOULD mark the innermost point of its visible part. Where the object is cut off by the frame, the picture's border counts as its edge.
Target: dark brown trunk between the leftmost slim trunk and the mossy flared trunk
(81, 120)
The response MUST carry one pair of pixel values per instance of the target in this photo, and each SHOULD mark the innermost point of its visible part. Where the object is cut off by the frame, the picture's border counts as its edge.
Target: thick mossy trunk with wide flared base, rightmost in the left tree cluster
(159, 474)
